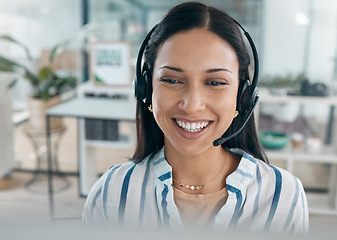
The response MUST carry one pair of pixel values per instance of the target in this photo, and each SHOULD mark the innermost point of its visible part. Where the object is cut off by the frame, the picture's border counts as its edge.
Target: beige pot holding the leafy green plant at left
(37, 119)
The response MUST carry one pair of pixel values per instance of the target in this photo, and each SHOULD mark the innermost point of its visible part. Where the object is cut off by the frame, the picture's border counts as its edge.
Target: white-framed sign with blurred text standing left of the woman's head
(110, 63)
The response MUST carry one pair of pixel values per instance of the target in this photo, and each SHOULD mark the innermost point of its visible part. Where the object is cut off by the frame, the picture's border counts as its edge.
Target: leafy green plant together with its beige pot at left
(47, 85)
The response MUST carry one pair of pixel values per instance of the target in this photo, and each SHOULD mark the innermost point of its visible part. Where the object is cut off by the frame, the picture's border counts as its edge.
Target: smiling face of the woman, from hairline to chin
(195, 83)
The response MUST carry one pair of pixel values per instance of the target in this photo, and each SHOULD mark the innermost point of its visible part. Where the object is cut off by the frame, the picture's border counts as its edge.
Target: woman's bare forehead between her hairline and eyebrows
(195, 46)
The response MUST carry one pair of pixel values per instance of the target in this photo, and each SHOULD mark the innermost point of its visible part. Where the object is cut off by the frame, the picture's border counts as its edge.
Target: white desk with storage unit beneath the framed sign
(101, 103)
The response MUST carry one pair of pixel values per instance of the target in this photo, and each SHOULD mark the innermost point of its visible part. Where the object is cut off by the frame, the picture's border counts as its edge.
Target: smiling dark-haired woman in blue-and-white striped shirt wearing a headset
(197, 66)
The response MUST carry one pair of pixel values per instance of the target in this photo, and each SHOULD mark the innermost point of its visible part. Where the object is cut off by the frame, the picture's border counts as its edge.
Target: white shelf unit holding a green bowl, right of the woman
(327, 154)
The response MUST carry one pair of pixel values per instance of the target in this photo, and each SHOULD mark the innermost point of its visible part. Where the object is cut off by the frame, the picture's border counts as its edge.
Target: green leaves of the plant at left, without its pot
(46, 83)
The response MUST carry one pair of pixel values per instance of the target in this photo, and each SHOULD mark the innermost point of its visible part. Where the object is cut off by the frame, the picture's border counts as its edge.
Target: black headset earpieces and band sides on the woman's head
(247, 94)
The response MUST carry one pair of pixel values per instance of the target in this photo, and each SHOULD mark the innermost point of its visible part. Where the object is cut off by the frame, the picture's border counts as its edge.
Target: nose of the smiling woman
(192, 100)
